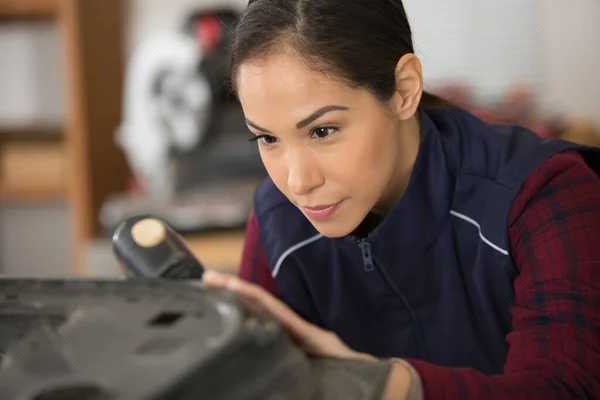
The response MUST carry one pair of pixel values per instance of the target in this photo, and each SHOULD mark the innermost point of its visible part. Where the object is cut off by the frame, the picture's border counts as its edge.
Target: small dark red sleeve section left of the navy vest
(254, 267)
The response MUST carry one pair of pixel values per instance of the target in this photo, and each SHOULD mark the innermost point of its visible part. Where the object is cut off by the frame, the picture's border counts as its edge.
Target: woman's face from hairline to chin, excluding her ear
(333, 151)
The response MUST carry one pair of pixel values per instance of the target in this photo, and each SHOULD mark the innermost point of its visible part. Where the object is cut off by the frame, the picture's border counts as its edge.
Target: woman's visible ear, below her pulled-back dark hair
(409, 87)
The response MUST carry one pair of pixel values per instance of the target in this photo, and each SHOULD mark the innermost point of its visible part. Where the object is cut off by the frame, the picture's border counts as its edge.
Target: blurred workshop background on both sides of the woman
(110, 108)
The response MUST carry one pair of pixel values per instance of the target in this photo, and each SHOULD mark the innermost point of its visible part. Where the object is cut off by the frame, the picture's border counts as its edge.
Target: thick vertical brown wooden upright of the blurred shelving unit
(94, 35)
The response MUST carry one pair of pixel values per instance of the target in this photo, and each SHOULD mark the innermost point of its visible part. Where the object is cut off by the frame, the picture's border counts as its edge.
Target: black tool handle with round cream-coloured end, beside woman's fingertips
(147, 247)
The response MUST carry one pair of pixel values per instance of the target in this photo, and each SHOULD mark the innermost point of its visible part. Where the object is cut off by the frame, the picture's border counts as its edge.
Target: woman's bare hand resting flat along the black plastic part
(314, 340)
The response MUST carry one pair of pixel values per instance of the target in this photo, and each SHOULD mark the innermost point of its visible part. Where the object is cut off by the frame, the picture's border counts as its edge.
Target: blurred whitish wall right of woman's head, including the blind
(551, 44)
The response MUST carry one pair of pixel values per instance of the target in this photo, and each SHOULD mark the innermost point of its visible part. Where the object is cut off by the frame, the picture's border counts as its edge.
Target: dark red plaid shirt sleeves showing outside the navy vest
(554, 236)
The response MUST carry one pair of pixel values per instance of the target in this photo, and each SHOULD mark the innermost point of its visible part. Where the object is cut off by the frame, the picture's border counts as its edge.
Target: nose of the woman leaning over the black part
(304, 174)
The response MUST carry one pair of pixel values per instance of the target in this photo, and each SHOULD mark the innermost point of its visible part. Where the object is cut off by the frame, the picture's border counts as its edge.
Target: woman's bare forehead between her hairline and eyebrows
(283, 80)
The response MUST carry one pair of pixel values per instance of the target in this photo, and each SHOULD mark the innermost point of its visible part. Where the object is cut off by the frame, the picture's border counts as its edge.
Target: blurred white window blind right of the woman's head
(487, 44)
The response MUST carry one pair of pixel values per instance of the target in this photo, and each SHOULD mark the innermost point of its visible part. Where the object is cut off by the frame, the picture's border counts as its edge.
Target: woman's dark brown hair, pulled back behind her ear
(357, 41)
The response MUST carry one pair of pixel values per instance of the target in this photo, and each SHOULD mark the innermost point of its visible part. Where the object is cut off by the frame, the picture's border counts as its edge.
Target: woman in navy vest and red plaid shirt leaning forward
(394, 225)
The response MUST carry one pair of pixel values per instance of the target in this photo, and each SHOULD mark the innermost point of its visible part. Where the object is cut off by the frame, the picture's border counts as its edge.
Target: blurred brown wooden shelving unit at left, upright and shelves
(91, 30)
